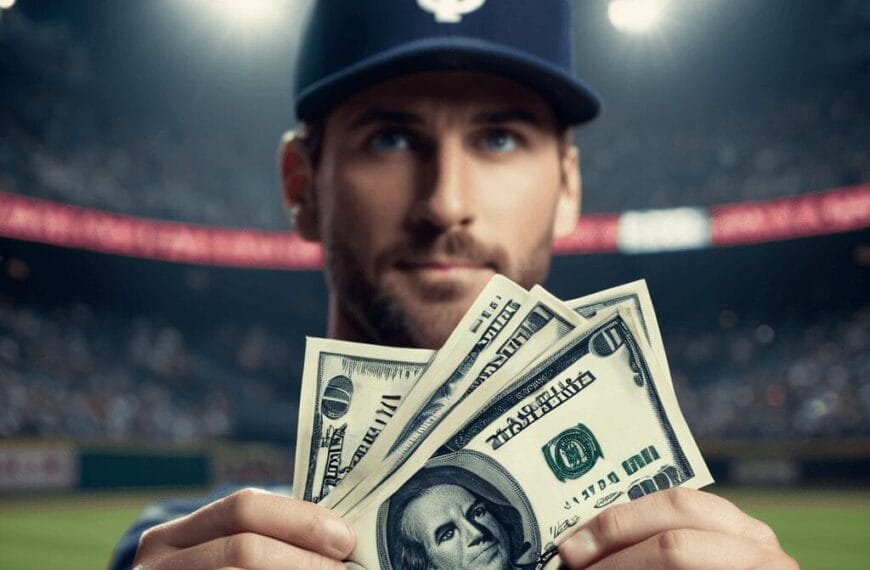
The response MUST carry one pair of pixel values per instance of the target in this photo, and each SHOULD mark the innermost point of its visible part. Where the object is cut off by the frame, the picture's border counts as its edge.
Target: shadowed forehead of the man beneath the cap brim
(475, 97)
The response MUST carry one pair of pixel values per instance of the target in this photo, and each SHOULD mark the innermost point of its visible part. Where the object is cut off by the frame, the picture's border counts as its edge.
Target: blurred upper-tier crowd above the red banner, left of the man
(60, 141)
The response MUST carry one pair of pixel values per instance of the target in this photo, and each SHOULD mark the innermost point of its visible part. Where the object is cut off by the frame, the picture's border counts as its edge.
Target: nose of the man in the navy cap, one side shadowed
(445, 201)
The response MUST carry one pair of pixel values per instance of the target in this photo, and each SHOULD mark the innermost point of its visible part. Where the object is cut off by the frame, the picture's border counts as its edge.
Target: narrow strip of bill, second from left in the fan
(496, 305)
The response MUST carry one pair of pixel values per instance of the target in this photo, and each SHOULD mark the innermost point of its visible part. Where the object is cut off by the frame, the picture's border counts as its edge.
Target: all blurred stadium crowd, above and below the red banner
(77, 372)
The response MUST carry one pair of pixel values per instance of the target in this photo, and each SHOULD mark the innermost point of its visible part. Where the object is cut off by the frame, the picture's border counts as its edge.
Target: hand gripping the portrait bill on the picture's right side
(675, 529)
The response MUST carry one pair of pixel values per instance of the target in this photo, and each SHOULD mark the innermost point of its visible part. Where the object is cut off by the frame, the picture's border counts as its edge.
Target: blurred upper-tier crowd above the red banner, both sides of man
(60, 142)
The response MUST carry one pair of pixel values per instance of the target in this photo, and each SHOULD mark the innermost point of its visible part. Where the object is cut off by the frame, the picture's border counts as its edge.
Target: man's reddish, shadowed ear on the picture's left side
(297, 186)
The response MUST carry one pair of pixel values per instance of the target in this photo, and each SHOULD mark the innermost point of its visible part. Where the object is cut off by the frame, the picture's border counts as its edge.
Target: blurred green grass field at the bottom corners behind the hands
(821, 528)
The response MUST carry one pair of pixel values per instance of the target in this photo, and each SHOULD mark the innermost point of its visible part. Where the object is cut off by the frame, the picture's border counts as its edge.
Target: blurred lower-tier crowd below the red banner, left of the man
(72, 372)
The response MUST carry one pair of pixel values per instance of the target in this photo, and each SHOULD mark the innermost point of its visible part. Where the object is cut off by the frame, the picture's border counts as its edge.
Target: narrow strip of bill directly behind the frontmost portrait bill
(503, 350)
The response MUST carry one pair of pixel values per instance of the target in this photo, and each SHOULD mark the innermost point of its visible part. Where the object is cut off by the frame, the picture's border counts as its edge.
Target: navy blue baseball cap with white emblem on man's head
(351, 45)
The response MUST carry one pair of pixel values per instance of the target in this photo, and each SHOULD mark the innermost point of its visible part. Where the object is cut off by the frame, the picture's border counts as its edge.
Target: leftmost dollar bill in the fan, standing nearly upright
(350, 391)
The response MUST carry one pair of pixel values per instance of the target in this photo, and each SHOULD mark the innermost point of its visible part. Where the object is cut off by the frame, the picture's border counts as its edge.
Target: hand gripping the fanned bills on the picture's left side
(249, 529)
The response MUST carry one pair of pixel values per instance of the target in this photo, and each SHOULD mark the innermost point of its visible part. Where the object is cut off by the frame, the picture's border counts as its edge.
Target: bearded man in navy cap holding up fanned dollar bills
(434, 152)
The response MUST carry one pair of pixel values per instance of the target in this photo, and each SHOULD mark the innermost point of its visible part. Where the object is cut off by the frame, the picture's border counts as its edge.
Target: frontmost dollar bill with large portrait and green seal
(585, 428)
